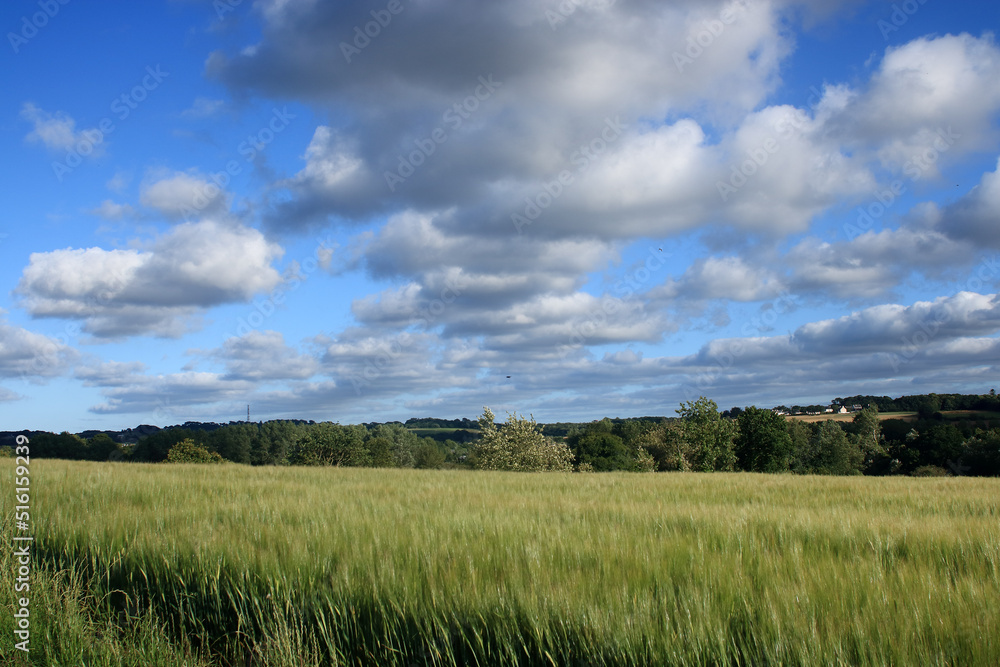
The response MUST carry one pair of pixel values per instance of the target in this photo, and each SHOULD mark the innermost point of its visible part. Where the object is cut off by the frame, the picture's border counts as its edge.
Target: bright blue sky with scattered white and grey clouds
(579, 209)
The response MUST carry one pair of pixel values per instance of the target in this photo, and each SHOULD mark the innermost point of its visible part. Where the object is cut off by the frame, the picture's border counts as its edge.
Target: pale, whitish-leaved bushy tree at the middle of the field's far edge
(519, 445)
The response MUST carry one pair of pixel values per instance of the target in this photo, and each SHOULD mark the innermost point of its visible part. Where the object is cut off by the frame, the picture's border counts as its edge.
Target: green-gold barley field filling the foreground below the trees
(303, 566)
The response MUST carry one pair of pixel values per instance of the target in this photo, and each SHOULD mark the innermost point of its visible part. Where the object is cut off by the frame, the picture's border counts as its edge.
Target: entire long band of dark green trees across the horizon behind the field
(699, 439)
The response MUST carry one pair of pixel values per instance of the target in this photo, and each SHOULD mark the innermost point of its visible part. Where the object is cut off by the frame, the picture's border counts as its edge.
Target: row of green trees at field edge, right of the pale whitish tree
(760, 440)
